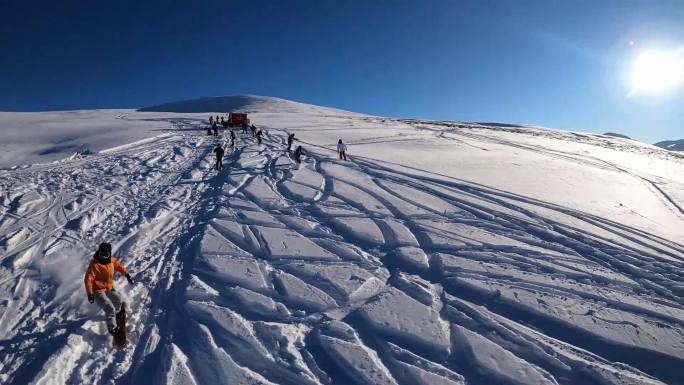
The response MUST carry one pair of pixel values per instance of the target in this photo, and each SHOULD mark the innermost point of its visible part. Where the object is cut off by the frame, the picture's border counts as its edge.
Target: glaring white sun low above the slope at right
(657, 71)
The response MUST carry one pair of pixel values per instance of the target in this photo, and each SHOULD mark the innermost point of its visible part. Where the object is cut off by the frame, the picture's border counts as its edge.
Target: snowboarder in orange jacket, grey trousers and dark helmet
(99, 280)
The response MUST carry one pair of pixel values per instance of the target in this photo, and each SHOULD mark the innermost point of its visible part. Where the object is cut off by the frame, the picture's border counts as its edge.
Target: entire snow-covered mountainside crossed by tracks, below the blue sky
(440, 252)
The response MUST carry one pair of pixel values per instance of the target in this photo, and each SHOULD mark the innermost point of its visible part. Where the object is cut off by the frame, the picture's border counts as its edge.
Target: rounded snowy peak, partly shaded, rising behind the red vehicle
(234, 103)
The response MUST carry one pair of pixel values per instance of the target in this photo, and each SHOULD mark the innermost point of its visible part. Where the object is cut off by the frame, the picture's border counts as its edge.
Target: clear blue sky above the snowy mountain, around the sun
(553, 63)
